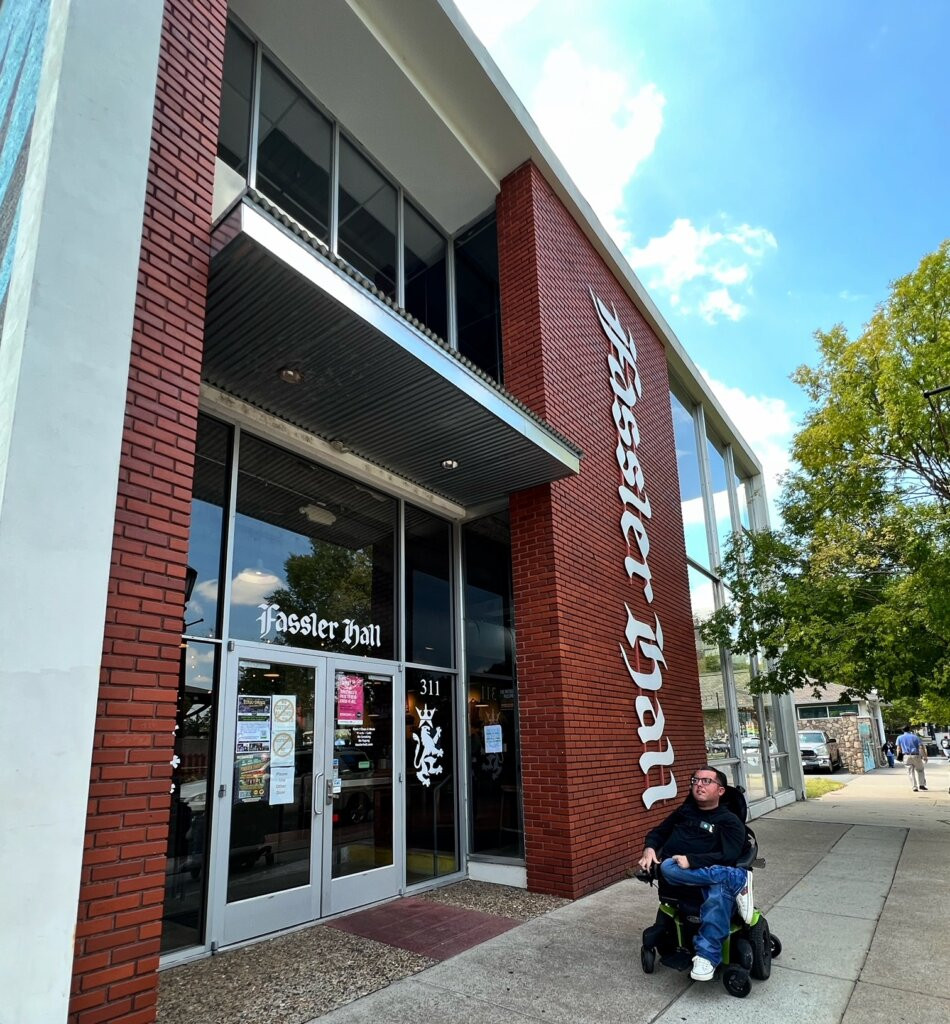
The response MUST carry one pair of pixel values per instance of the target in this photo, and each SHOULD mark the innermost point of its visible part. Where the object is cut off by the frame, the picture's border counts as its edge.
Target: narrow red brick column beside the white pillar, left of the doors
(123, 879)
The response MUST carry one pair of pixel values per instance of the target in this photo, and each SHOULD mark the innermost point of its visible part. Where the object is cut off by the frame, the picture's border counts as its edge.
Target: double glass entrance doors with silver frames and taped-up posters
(307, 803)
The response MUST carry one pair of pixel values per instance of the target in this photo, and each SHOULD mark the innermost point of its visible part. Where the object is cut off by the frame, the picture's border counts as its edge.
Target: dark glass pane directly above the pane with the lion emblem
(428, 589)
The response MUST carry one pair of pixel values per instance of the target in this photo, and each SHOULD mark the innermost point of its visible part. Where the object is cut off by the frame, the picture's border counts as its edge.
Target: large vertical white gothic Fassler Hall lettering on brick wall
(644, 649)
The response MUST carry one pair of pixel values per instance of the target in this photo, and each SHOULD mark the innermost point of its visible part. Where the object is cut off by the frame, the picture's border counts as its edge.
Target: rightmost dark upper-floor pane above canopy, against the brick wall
(479, 304)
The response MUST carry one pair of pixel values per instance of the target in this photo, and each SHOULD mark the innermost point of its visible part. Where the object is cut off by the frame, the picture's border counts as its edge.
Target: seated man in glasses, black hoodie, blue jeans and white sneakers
(696, 849)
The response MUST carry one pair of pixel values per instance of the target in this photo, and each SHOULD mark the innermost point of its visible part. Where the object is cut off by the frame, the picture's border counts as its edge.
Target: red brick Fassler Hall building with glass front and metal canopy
(373, 485)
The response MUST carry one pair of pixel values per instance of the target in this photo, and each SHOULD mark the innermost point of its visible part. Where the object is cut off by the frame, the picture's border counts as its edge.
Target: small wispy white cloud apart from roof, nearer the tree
(688, 263)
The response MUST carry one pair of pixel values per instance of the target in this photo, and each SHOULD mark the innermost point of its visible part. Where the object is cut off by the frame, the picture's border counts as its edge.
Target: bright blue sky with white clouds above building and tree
(768, 168)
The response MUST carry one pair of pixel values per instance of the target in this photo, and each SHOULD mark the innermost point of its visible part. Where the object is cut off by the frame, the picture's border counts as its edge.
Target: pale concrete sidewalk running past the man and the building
(857, 887)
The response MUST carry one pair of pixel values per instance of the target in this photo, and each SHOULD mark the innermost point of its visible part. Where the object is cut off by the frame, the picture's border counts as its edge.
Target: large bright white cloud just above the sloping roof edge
(600, 124)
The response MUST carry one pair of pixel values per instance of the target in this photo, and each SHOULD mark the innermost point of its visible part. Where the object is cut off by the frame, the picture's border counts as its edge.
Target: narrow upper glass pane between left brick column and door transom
(208, 503)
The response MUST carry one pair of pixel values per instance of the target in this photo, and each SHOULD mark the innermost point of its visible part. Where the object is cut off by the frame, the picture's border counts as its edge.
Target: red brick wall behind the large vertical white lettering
(585, 817)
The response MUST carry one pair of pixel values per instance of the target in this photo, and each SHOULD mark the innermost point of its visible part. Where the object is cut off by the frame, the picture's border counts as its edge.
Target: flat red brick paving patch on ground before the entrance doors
(424, 927)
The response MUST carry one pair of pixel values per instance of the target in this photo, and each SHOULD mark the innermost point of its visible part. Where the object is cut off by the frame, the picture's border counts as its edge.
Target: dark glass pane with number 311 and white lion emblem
(431, 834)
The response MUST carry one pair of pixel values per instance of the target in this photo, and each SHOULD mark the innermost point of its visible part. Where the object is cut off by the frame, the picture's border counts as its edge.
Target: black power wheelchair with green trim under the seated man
(748, 951)
